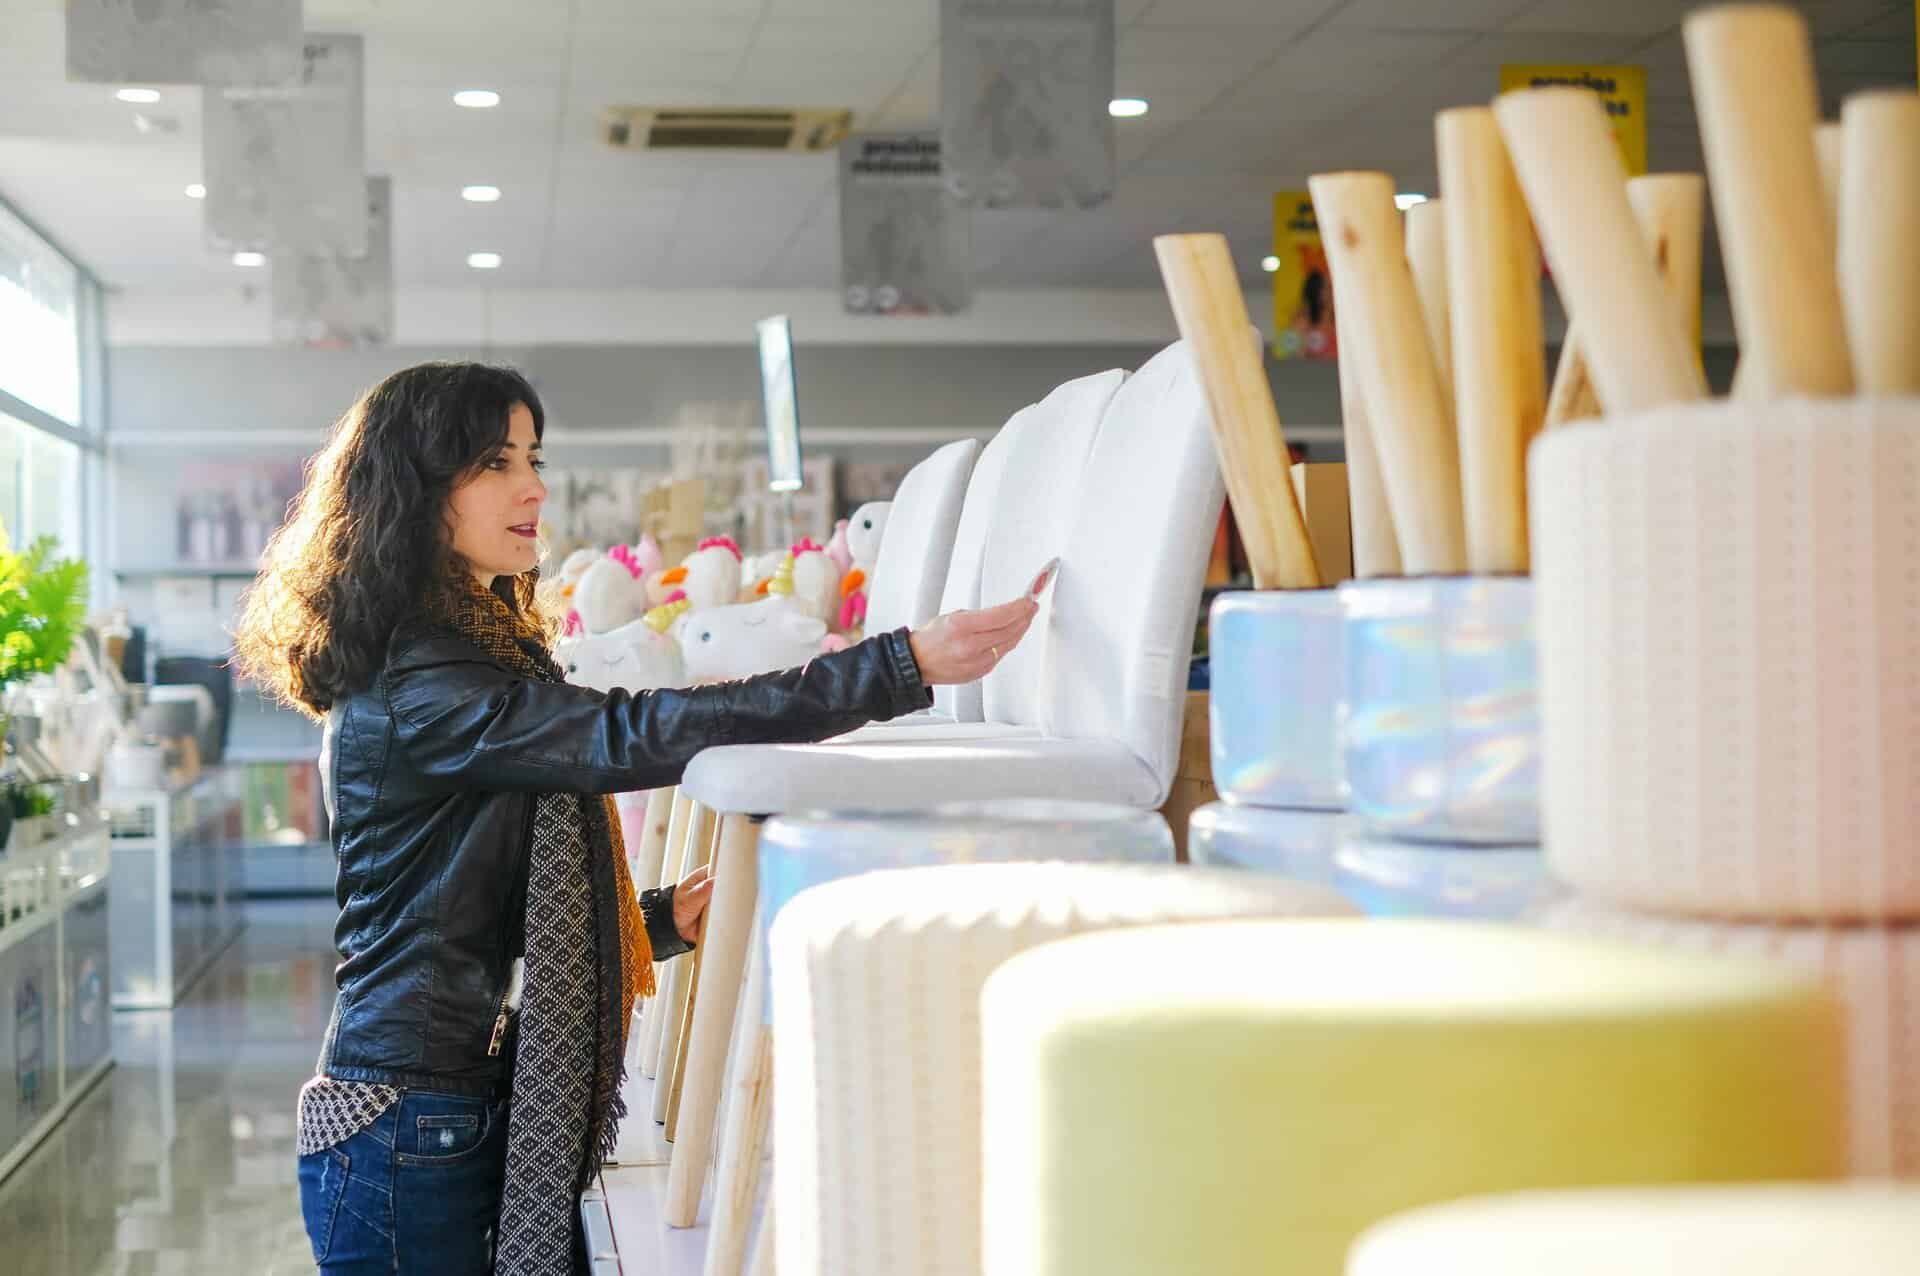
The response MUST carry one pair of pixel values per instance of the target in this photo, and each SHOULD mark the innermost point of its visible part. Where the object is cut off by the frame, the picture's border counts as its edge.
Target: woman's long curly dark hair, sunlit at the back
(368, 542)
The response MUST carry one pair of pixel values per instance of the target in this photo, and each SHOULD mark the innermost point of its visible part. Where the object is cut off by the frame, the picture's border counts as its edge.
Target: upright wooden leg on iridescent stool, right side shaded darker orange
(1500, 381)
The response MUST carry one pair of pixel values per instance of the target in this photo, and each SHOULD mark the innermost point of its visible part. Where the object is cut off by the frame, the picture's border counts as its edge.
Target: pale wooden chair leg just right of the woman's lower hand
(727, 941)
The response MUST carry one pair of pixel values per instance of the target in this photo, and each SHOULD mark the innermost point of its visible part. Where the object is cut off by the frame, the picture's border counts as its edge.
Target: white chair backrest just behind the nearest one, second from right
(1030, 523)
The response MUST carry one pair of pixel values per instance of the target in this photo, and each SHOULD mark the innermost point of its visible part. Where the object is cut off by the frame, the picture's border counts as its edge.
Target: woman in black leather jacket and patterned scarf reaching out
(454, 1120)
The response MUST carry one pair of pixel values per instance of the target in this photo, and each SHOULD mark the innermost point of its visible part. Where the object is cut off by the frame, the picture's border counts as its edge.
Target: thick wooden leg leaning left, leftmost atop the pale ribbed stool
(1570, 168)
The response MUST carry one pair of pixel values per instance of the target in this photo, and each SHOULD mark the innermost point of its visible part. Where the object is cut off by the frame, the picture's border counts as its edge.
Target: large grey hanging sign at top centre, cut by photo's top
(1024, 103)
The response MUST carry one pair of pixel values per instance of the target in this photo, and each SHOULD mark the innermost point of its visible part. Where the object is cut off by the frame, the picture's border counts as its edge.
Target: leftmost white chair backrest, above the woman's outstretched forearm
(919, 544)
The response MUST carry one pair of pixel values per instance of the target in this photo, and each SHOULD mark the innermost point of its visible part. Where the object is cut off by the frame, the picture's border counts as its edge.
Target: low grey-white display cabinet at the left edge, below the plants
(57, 1026)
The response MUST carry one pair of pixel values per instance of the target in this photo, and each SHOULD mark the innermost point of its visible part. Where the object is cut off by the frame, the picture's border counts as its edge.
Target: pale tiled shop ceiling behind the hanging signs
(1249, 97)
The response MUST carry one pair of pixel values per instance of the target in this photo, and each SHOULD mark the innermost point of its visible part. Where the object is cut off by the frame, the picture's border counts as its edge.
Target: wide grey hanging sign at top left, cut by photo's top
(183, 41)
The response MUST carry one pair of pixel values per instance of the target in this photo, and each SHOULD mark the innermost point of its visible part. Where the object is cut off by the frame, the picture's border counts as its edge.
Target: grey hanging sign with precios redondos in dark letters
(905, 247)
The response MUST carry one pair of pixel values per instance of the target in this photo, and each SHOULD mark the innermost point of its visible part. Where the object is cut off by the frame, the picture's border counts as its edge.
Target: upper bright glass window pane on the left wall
(41, 319)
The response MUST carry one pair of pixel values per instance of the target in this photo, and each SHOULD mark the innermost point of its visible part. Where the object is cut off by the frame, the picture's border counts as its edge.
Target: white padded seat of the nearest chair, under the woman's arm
(907, 774)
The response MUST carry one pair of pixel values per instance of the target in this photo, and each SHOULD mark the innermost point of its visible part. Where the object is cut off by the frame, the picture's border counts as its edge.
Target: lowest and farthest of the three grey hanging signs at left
(327, 300)
